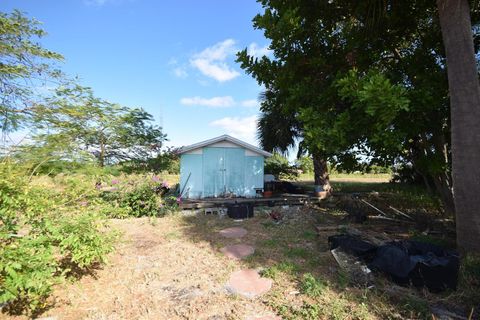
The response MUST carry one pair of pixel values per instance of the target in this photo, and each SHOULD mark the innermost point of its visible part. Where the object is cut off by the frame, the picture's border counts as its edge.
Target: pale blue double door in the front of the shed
(223, 171)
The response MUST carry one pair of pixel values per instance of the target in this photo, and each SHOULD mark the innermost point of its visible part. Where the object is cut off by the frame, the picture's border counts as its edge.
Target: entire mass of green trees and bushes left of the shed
(59, 185)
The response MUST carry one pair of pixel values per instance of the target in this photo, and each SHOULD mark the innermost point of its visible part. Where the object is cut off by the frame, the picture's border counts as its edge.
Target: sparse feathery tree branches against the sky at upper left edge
(25, 66)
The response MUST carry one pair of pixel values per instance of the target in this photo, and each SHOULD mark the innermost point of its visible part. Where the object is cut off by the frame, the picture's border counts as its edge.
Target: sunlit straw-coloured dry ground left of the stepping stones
(159, 271)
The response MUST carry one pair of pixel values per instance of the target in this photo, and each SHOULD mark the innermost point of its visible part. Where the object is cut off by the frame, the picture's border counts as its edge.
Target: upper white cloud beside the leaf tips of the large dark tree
(211, 61)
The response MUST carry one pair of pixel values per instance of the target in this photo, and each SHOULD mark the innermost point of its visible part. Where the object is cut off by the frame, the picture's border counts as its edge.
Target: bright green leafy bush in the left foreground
(45, 235)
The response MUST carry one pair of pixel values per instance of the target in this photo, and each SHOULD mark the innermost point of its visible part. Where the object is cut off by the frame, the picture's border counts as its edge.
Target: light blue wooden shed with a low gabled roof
(221, 167)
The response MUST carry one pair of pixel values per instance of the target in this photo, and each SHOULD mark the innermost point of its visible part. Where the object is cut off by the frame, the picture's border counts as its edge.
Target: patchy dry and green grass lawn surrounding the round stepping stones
(172, 268)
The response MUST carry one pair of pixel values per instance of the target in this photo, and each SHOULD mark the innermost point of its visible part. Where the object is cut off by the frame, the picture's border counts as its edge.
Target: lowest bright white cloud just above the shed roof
(241, 128)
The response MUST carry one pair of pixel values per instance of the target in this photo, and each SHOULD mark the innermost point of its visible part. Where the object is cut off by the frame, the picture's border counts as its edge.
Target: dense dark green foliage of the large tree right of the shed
(384, 101)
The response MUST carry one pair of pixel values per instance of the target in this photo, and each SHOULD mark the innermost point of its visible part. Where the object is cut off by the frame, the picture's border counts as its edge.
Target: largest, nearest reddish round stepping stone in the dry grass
(248, 283)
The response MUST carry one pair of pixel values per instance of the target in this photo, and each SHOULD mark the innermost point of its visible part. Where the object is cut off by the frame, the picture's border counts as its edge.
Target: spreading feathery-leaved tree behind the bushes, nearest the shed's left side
(84, 123)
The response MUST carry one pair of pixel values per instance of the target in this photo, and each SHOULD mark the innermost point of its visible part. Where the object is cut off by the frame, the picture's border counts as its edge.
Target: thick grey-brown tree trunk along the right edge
(465, 116)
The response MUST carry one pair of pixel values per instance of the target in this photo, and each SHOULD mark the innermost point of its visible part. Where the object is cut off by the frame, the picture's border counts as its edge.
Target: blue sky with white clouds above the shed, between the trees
(174, 58)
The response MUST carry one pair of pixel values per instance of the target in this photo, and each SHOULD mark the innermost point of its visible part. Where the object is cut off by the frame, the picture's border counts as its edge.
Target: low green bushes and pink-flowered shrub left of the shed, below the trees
(54, 227)
